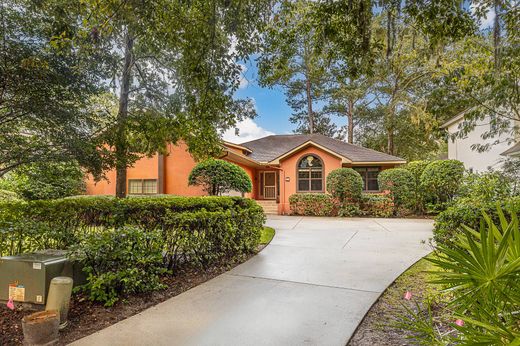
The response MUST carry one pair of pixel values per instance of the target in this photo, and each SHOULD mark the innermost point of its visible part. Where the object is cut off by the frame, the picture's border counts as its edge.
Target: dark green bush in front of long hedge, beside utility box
(120, 261)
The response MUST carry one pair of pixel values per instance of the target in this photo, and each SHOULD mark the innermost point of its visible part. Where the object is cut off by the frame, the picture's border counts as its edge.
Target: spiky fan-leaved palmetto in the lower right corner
(481, 275)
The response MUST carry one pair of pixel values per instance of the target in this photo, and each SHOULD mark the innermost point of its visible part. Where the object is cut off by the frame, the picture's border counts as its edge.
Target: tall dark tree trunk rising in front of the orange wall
(121, 143)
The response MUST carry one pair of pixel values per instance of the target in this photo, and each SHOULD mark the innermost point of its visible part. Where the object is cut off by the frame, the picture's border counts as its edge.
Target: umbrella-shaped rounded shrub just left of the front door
(219, 176)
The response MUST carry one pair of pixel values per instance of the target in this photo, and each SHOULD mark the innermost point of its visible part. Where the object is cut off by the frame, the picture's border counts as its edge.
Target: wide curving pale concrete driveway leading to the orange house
(312, 285)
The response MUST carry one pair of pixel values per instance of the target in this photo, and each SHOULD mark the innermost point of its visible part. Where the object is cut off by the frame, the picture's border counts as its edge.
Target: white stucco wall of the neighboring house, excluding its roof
(460, 148)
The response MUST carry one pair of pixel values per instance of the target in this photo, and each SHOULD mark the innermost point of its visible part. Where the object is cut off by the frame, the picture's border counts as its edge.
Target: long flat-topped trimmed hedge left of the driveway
(198, 230)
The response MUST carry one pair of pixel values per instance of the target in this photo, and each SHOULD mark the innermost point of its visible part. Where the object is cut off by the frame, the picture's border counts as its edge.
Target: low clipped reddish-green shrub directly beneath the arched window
(313, 204)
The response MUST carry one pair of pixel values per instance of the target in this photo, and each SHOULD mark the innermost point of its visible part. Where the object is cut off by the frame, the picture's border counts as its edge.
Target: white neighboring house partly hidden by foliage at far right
(460, 148)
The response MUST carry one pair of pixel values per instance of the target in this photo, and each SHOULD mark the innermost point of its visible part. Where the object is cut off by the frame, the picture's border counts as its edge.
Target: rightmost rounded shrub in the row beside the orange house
(441, 180)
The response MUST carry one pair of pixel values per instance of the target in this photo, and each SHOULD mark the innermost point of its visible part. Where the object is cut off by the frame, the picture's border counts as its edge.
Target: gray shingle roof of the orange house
(269, 148)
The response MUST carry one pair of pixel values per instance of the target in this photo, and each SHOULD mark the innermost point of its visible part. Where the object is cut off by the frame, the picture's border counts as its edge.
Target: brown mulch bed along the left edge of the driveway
(86, 317)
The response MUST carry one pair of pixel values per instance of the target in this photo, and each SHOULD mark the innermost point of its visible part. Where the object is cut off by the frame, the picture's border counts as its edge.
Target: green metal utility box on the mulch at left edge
(26, 277)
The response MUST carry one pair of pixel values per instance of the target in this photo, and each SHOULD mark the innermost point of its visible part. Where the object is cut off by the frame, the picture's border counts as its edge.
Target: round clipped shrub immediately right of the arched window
(345, 184)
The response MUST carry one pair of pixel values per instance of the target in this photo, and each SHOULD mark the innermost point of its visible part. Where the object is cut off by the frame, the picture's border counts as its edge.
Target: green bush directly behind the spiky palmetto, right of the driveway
(448, 224)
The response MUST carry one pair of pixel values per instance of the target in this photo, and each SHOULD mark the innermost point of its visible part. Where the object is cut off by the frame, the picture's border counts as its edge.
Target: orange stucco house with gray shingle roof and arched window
(278, 165)
